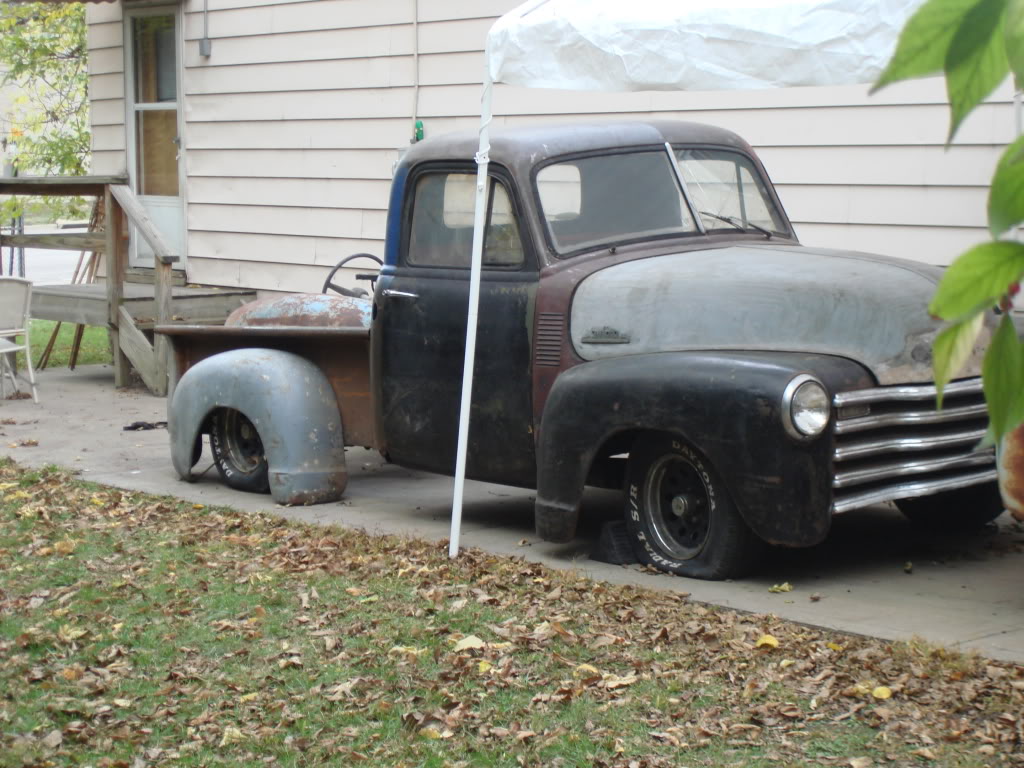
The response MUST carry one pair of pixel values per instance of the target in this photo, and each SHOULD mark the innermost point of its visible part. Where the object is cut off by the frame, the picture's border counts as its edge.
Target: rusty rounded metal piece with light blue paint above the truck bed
(304, 311)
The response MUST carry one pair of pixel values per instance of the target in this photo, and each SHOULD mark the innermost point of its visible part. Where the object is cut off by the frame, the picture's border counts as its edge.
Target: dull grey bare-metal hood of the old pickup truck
(767, 297)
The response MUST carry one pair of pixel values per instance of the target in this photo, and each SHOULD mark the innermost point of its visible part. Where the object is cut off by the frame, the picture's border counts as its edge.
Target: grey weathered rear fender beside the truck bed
(291, 404)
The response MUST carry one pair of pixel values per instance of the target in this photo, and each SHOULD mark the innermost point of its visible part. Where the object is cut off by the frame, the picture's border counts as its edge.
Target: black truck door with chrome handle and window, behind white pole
(420, 332)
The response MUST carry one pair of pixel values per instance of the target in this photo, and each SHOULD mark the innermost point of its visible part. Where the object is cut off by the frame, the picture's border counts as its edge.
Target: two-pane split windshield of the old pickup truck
(614, 199)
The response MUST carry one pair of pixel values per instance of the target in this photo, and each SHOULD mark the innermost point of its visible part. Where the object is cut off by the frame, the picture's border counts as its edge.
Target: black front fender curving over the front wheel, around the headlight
(727, 405)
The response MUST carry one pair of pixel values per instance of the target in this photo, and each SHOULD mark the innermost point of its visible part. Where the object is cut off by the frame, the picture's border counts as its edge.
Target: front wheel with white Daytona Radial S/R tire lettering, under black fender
(680, 517)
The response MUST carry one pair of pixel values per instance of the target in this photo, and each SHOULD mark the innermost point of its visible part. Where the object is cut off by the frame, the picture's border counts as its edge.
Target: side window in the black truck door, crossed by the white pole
(443, 224)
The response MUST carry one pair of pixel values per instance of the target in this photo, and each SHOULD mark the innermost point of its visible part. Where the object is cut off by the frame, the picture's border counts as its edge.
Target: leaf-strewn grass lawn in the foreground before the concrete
(140, 631)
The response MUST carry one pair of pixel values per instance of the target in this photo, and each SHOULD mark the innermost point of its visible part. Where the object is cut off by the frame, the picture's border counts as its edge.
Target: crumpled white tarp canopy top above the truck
(633, 46)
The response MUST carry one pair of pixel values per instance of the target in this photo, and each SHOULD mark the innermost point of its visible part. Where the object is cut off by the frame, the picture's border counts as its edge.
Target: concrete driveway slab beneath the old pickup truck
(961, 593)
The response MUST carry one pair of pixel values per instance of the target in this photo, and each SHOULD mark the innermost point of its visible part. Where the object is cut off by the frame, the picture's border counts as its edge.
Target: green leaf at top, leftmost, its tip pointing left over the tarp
(925, 41)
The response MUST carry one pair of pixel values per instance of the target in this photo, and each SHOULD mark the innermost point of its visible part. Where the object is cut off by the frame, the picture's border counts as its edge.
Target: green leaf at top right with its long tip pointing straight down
(976, 62)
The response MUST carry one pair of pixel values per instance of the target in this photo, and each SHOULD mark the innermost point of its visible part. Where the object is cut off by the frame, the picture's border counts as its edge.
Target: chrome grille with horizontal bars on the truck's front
(891, 443)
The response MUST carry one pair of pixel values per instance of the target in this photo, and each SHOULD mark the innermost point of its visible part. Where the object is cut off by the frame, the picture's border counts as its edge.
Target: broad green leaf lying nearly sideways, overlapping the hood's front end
(978, 280)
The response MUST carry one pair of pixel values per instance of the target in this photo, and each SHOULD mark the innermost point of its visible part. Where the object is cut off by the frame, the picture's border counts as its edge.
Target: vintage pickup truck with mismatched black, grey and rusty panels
(649, 322)
